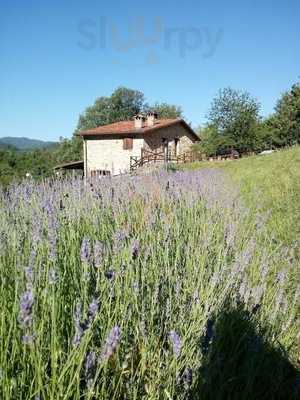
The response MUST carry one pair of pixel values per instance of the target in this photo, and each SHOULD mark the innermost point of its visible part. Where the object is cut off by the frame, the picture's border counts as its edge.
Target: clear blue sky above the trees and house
(58, 56)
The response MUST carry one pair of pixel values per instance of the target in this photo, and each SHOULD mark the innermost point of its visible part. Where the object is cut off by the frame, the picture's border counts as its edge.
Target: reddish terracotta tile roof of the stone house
(124, 128)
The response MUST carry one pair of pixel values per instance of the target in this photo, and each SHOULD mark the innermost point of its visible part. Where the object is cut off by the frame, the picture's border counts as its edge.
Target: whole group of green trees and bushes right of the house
(234, 122)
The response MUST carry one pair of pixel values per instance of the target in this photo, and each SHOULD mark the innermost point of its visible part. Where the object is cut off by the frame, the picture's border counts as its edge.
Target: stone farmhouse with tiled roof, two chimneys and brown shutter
(108, 149)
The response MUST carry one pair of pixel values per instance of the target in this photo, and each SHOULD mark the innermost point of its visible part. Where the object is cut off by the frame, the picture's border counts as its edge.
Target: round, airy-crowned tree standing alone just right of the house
(235, 116)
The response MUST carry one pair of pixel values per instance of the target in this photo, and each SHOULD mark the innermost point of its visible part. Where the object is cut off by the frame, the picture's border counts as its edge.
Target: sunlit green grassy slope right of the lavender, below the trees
(270, 183)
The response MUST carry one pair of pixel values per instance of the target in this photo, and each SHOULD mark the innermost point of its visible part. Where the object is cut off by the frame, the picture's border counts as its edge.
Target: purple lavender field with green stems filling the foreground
(150, 287)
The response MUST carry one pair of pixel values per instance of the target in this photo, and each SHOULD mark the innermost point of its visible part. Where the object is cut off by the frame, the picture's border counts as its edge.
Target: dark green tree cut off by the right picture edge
(285, 122)
